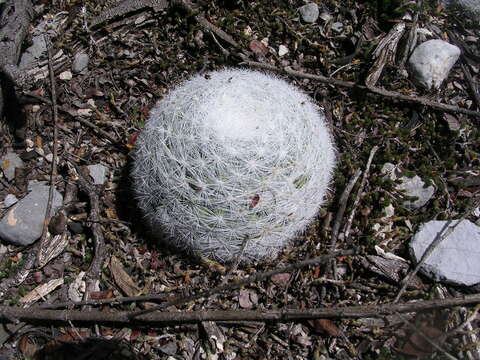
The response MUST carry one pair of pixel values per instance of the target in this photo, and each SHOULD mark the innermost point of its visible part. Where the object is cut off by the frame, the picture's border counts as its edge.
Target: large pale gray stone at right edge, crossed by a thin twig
(455, 259)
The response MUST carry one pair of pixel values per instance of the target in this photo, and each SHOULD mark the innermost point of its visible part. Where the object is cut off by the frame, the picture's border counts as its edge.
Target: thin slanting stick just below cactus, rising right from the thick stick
(253, 278)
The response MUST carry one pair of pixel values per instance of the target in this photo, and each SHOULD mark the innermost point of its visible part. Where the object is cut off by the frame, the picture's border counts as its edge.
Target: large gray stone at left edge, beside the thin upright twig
(23, 223)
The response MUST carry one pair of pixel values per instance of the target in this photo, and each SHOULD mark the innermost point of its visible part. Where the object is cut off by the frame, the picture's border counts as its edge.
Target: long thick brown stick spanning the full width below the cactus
(160, 318)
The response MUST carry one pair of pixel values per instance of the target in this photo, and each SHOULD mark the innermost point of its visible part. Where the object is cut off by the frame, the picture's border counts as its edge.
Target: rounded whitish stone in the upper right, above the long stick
(431, 62)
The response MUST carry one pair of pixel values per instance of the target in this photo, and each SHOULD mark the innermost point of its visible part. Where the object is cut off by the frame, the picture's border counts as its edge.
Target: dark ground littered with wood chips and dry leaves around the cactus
(402, 163)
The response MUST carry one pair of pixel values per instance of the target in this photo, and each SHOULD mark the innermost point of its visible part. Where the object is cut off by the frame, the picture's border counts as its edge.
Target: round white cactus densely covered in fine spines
(233, 163)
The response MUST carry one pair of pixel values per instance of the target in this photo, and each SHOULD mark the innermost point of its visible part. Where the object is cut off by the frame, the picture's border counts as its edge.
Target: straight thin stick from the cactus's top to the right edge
(349, 84)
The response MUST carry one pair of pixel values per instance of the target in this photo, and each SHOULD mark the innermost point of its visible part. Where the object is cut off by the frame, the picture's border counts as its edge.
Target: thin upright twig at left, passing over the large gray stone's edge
(53, 174)
